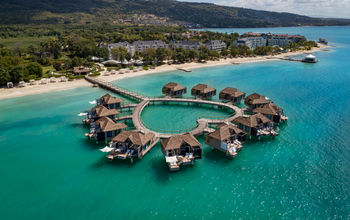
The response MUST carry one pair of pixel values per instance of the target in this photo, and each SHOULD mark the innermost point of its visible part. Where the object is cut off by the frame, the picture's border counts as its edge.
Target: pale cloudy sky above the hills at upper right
(314, 8)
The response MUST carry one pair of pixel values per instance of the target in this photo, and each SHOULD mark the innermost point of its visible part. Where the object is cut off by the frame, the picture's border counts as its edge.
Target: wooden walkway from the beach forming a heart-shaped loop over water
(202, 122)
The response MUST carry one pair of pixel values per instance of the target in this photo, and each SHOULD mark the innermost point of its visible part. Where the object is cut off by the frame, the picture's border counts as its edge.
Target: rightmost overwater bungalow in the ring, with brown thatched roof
(272, 112)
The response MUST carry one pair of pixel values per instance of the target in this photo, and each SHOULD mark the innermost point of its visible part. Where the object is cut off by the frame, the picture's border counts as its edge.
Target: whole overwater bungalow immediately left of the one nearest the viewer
(131, 144)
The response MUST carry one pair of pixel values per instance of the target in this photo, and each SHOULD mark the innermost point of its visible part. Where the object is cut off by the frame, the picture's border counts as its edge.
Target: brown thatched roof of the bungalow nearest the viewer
(175, 142)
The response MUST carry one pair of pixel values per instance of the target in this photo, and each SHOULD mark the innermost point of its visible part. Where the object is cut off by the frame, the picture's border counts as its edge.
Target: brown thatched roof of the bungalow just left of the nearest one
(136, 137)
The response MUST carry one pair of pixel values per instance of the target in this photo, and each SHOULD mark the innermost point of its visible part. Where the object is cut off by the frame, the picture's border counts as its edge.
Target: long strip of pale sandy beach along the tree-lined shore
(59, 86)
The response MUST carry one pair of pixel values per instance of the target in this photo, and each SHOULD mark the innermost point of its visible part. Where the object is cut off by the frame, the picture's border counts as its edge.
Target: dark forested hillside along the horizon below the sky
(109, 11)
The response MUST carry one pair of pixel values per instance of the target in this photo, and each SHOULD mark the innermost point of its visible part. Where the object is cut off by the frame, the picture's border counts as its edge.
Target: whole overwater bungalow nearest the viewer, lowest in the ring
(181, 150)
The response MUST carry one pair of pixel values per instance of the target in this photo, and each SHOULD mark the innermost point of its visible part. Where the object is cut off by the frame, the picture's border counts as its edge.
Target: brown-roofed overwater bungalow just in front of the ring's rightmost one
(256, 125)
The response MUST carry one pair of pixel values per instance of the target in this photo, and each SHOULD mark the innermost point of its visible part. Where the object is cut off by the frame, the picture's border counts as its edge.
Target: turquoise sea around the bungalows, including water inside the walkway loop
(50, 171)
